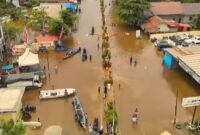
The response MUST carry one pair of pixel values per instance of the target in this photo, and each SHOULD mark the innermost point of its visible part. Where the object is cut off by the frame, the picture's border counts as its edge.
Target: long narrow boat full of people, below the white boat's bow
(80, 115)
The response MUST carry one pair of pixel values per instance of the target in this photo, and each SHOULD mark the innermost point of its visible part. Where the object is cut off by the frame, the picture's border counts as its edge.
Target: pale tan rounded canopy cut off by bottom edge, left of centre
(53, 130)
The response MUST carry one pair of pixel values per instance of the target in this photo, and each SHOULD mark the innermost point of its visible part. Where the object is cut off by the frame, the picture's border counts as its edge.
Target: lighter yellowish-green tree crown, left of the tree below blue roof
(38, 19)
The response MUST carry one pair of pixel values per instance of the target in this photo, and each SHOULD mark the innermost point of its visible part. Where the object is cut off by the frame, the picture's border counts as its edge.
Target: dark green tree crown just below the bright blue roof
(67, 18)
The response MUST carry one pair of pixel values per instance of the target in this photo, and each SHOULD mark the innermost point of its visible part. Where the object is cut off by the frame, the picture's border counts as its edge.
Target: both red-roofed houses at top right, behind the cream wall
(170, 17)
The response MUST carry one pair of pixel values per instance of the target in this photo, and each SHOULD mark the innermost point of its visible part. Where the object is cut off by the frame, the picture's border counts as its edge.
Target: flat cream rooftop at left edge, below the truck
(10, 99)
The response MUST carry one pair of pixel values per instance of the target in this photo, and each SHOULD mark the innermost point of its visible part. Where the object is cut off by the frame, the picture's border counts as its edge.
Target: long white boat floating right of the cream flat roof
(57, 93)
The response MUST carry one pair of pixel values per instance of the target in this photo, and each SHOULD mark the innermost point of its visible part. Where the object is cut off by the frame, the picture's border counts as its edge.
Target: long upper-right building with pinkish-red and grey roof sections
(179, 12)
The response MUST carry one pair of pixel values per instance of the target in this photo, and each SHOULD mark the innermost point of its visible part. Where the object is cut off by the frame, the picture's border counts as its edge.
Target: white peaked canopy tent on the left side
(28, 59)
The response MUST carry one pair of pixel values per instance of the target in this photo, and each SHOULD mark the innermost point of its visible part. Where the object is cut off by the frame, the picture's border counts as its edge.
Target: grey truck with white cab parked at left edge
(26, 80)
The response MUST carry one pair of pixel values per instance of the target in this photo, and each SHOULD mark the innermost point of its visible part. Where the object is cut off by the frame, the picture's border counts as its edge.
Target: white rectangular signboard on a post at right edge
(191, 101)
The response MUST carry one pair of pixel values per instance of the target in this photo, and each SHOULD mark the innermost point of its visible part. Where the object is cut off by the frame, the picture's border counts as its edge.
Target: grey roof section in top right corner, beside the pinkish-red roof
(191, 8)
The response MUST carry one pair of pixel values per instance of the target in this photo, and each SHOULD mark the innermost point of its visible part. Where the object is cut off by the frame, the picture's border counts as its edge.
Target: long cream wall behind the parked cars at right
(160, 36)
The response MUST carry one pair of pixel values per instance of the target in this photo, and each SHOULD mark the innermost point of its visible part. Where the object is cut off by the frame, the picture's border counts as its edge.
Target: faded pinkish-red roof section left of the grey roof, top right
(167, 8)
